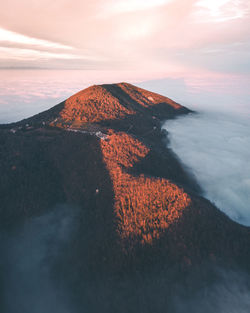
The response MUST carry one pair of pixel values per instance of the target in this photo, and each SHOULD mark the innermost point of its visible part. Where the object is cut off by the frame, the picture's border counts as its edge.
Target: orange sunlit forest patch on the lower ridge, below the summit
(145, 206)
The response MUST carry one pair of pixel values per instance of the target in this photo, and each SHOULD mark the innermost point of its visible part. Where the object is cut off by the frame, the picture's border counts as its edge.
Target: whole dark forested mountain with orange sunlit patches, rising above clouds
(141, 218)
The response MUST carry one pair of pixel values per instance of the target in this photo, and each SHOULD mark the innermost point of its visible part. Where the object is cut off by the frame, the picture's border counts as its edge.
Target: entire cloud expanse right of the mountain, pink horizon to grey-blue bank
(214, 143)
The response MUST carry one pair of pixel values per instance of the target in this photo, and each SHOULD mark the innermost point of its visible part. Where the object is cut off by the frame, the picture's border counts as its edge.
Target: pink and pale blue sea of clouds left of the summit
(24, 93)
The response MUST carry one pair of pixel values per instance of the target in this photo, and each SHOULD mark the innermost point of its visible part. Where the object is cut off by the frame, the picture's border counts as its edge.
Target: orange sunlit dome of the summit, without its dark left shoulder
(112, 101)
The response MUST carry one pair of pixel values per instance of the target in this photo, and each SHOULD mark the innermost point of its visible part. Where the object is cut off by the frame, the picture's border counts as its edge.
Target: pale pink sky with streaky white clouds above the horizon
(210, 36)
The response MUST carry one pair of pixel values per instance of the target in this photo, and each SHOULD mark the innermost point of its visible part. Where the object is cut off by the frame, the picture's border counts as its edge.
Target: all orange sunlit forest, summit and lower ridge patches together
(144, 206)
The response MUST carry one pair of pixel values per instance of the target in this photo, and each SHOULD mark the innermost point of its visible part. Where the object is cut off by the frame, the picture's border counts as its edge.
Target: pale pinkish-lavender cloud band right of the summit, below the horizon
(225, 94)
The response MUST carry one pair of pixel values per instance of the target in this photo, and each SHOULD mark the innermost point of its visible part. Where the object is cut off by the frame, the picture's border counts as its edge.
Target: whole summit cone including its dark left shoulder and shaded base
(106, 103)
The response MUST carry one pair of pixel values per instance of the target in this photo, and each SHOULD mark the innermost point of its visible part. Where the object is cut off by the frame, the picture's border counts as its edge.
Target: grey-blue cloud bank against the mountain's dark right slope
(215, 147)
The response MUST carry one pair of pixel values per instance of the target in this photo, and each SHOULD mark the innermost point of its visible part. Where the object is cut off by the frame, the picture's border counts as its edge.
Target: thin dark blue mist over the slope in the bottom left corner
(28, 255)
